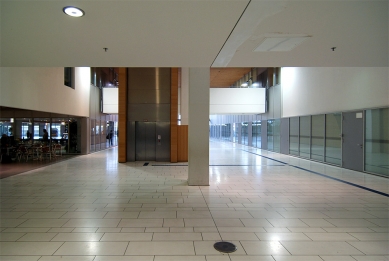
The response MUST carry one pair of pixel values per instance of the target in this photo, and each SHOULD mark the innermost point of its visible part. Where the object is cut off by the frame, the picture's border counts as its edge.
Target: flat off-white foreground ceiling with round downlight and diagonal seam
(193, 33)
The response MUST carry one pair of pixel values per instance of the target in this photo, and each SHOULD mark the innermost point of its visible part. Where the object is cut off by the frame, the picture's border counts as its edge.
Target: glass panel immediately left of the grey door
(333, 138)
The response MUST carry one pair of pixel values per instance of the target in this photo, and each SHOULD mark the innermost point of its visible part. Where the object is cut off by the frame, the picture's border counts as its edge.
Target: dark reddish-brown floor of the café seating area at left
(16, 167)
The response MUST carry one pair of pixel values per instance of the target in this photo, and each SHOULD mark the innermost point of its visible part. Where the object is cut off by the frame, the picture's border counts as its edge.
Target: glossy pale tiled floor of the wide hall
(272, 206)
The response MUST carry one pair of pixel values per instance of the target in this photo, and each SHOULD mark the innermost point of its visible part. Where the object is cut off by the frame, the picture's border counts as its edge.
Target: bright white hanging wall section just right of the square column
(237, 100)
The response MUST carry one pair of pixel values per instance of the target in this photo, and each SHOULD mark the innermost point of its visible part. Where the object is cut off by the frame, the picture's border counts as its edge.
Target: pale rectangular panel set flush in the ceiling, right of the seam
(280, 43)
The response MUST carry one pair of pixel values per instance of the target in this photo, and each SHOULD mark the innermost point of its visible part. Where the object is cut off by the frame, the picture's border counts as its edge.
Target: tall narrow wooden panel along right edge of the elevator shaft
(173, 114)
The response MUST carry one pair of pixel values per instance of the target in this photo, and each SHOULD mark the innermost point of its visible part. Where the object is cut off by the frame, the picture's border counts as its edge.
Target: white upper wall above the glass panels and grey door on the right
(314, 90)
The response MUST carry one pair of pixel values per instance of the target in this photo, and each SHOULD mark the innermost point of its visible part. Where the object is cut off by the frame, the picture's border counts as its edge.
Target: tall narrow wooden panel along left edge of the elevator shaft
(122, 137)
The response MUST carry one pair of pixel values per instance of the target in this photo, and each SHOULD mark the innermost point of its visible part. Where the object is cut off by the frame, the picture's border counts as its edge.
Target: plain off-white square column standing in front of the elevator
(198, 129)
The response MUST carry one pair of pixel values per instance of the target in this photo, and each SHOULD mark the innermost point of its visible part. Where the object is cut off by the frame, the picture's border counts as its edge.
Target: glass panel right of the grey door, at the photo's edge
(377, 141)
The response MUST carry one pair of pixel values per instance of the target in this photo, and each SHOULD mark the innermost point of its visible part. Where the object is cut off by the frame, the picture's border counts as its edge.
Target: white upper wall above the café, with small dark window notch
(43, 89)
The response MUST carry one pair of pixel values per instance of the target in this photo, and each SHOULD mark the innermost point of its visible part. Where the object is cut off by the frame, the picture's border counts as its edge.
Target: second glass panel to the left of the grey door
(318, 131)
